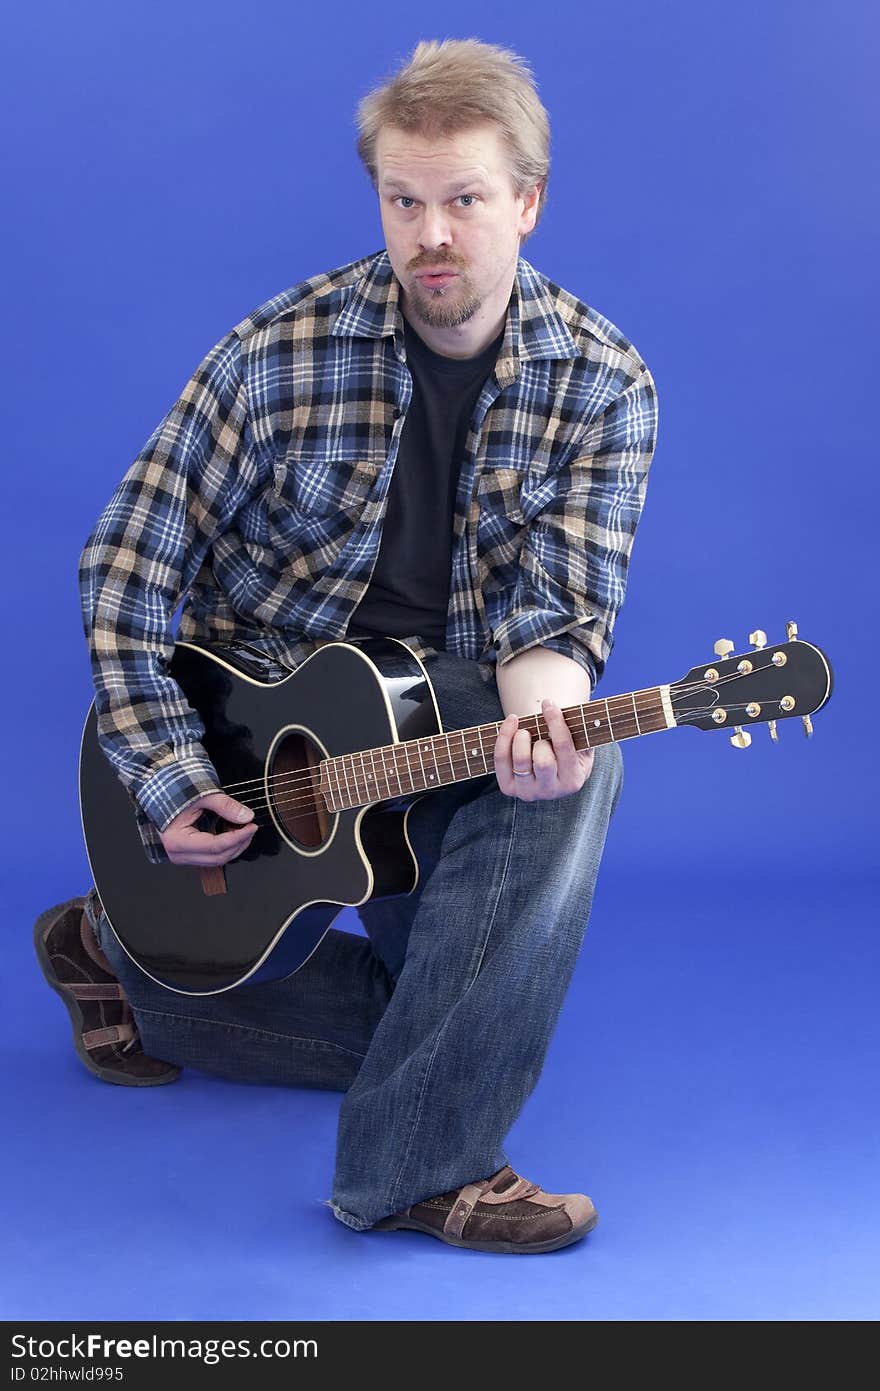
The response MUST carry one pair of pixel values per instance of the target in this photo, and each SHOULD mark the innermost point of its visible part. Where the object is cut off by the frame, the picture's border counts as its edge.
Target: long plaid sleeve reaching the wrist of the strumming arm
(184, 489)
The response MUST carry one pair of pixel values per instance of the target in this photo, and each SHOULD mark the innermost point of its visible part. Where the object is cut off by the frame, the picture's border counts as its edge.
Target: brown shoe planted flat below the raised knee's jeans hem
(500, 1214)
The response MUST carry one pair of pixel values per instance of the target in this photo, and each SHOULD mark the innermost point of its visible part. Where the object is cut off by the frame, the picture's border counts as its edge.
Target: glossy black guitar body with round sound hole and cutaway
(304, 865)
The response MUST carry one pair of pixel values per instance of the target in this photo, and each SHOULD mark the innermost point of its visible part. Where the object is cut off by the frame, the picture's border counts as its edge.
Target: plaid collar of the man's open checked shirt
(535, 329)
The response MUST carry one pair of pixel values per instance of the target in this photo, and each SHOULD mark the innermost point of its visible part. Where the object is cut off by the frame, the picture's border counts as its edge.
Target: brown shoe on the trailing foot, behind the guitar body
(105, 1033)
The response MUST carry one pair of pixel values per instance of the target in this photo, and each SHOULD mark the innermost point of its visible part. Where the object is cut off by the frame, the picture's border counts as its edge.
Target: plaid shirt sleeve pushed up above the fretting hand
(576, 552)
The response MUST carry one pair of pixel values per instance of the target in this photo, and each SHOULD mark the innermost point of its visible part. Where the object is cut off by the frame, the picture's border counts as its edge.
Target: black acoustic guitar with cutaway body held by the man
(333, 757)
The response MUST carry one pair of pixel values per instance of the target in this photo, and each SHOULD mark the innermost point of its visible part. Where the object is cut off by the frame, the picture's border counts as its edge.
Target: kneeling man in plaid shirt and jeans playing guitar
(439, 444)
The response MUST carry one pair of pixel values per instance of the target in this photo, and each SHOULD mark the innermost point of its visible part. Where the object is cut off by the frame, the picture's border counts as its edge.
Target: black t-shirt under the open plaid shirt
(409, 590)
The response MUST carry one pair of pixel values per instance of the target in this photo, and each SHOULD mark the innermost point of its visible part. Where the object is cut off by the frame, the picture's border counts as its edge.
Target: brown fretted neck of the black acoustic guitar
(370, 775)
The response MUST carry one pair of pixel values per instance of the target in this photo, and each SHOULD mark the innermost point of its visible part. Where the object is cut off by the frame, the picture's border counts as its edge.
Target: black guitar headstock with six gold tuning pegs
(771, 682)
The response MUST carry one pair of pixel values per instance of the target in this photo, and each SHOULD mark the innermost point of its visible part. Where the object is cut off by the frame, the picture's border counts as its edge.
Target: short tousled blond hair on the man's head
(453, 86)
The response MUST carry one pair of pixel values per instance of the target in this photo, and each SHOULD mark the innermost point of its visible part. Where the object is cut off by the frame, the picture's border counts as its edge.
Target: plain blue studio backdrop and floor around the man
(714, 1080)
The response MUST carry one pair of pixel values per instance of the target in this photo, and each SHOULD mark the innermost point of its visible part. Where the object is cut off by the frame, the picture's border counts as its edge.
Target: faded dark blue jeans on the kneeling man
(437, 1024)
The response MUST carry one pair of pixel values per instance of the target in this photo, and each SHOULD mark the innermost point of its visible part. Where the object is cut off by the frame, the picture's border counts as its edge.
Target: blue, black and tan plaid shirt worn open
(259, 500)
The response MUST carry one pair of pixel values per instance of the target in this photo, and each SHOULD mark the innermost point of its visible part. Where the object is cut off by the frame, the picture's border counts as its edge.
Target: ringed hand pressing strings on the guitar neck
(546, 770)
